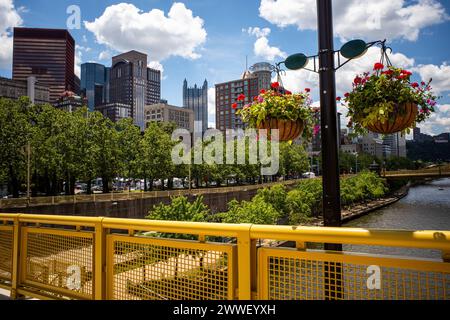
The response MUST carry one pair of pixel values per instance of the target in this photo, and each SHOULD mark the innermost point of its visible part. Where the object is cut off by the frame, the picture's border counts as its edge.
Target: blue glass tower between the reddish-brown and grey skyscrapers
(95, 84)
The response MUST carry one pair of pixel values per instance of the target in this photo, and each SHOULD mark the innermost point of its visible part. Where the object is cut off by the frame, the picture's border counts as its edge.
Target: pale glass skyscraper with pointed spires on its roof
(196, 99)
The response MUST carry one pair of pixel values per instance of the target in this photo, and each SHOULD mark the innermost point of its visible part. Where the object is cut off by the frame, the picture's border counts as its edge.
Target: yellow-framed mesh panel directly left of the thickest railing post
(155, 269)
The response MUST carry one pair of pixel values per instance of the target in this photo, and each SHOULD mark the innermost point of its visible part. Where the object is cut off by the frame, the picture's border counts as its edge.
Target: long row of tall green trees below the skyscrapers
(82, 146)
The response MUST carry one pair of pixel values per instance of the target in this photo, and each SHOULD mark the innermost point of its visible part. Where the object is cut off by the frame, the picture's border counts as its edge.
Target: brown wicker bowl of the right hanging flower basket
(404, 116)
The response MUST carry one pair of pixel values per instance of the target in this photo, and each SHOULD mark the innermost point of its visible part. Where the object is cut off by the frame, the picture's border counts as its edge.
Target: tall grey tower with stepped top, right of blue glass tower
(134, 84)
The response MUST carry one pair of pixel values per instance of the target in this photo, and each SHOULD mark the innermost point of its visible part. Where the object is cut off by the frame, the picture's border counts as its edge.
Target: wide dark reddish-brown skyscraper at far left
(47, 54)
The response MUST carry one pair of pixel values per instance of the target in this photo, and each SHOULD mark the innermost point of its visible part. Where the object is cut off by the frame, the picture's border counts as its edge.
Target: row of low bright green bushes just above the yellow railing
(277, 204)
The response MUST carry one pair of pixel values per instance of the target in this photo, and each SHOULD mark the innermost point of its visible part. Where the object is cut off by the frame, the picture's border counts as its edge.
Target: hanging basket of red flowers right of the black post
(386, 102)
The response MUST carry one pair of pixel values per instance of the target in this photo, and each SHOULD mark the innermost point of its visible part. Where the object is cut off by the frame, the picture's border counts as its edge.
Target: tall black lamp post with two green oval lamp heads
(324, 65)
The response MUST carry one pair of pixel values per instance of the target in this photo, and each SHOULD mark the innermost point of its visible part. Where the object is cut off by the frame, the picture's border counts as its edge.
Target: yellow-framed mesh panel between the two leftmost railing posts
(59, 261)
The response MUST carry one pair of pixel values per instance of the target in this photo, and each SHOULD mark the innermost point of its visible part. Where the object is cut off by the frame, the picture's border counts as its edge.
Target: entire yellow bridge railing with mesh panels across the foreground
(64, 257)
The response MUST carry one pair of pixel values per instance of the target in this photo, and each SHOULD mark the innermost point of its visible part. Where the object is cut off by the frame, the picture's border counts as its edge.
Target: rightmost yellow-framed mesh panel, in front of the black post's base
(305, 278)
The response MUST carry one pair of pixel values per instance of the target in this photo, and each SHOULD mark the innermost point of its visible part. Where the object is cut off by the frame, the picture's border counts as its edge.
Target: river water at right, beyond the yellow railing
(426, 207)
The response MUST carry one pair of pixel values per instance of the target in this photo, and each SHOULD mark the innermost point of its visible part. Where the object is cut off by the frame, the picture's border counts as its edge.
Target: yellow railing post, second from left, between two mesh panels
(100, 261)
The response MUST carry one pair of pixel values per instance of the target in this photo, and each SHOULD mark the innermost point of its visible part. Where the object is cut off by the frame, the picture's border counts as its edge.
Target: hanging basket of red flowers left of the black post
(279, 109)
